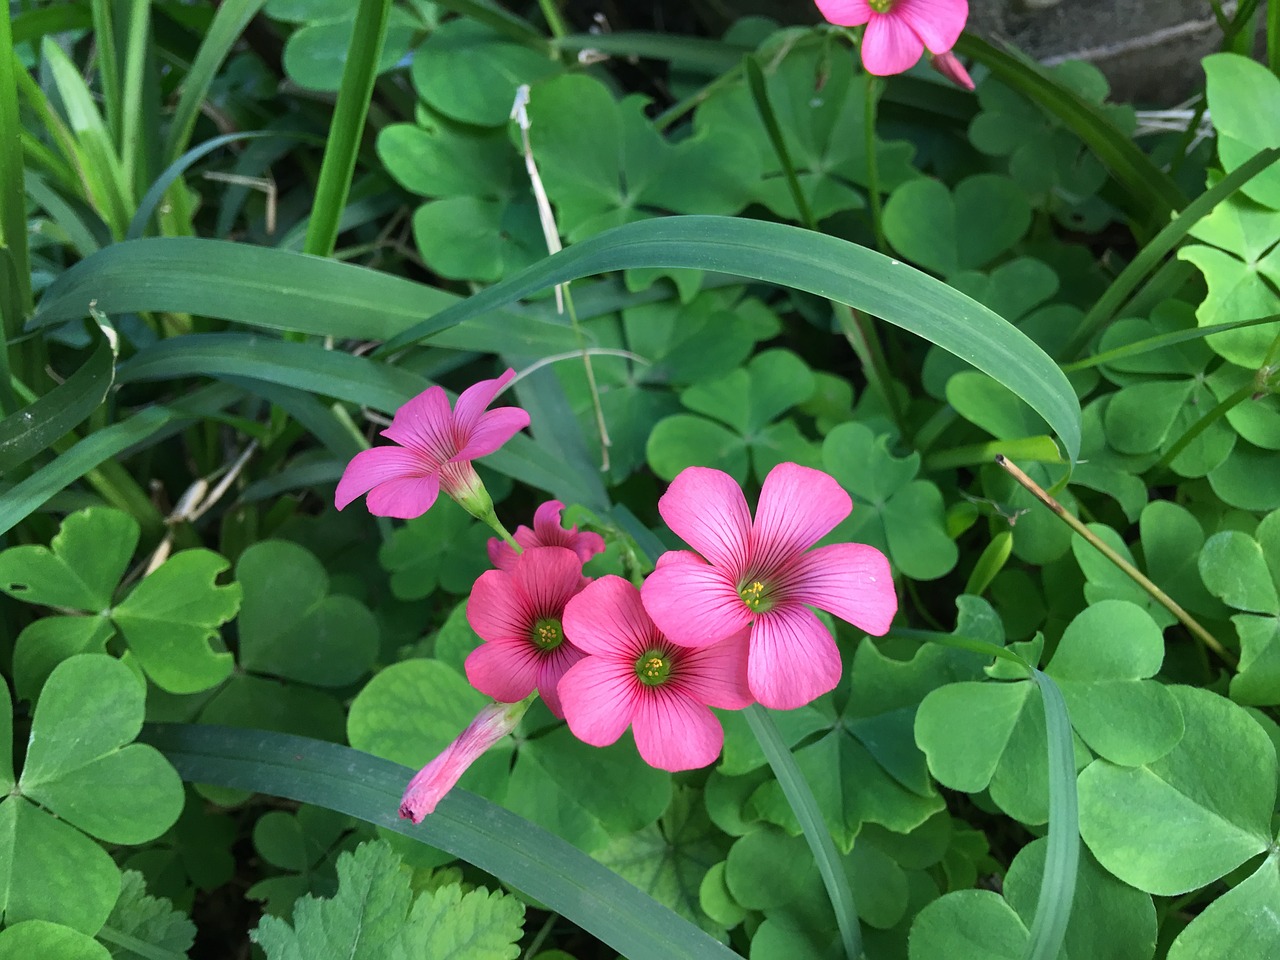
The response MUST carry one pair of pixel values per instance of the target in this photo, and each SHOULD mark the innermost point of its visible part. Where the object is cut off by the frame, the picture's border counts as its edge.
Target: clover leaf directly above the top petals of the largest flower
(747, 404)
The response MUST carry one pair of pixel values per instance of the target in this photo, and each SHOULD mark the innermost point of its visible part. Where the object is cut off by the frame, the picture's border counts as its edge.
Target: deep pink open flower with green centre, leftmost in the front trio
(519, 616)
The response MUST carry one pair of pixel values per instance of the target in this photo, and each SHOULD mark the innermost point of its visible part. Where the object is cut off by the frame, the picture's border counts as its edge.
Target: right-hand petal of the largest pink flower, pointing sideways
(851, 580)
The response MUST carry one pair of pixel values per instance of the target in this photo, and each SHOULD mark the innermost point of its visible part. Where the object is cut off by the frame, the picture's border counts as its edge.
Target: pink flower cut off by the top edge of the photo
(898, 31)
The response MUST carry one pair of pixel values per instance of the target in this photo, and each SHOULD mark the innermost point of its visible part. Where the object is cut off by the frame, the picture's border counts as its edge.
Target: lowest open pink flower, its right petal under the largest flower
(633, 676)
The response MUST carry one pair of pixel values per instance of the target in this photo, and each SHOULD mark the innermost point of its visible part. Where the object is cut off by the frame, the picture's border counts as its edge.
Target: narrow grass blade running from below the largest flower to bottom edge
(801, 798)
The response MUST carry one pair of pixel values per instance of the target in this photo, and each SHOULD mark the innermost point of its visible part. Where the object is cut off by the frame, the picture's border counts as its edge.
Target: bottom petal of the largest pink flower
(793, 660)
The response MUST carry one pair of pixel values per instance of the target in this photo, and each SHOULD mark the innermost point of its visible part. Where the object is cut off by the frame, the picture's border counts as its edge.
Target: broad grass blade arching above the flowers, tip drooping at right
(828, 267)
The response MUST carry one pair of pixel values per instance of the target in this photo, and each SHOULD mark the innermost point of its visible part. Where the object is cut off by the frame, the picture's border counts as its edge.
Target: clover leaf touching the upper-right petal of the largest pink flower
(893, 509)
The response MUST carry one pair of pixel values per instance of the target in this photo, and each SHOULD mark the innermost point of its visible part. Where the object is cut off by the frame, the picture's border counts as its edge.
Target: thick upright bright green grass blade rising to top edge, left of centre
(349, 124)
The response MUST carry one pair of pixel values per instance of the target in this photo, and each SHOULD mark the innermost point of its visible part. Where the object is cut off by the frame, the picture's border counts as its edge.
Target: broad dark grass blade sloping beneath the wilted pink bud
(470, 828)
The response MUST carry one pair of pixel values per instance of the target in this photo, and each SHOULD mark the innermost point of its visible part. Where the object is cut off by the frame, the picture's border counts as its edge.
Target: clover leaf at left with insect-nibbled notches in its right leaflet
(168, 620)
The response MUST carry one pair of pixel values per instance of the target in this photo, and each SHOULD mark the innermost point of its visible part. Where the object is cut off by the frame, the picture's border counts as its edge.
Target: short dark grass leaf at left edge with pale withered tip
(33, 429)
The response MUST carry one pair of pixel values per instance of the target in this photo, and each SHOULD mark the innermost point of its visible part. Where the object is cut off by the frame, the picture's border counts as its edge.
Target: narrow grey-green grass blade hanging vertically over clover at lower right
(1063, 858)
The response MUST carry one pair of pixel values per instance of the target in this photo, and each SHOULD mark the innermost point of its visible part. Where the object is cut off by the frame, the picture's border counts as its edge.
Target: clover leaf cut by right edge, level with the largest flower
(1245, 573)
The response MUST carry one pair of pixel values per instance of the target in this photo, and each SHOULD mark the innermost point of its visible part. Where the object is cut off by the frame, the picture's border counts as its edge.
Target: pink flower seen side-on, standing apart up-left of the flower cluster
(436, 451)
